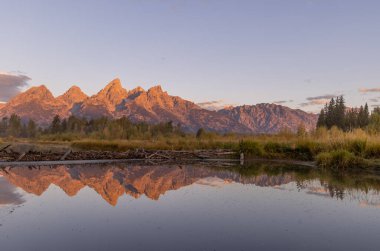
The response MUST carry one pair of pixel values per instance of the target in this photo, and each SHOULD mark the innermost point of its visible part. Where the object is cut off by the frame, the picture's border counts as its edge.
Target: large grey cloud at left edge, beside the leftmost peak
(11, 85)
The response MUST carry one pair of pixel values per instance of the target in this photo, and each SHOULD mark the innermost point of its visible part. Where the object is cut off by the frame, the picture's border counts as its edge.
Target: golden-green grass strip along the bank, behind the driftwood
(329, 148)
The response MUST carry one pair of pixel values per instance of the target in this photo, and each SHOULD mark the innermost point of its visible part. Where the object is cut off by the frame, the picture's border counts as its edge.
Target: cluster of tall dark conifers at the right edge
(336, 114)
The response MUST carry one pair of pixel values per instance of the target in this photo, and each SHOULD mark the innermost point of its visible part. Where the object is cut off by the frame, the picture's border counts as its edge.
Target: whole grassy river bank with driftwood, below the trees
(325, 149)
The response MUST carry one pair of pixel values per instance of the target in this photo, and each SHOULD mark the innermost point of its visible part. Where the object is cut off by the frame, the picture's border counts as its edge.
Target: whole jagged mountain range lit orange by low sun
(153, 106)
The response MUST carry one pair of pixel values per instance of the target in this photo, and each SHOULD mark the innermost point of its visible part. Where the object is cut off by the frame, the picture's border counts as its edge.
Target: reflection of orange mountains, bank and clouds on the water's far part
(111, 181)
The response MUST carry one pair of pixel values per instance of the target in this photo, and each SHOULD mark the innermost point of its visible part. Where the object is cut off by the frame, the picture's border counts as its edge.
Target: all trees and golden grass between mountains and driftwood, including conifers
(344, 138)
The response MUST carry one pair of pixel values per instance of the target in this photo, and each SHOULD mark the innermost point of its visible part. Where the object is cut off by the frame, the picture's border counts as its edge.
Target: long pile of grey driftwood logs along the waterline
(161, 155)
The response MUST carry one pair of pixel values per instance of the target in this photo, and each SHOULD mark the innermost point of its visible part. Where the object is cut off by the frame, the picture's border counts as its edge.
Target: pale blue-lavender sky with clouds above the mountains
(296, 53)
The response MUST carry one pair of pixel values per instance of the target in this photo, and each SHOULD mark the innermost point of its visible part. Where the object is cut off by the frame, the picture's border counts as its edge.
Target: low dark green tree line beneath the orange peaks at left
(102, 128)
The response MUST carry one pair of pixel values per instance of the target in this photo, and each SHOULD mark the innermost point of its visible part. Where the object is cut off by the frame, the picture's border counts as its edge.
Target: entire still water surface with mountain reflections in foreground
(262, 206)
